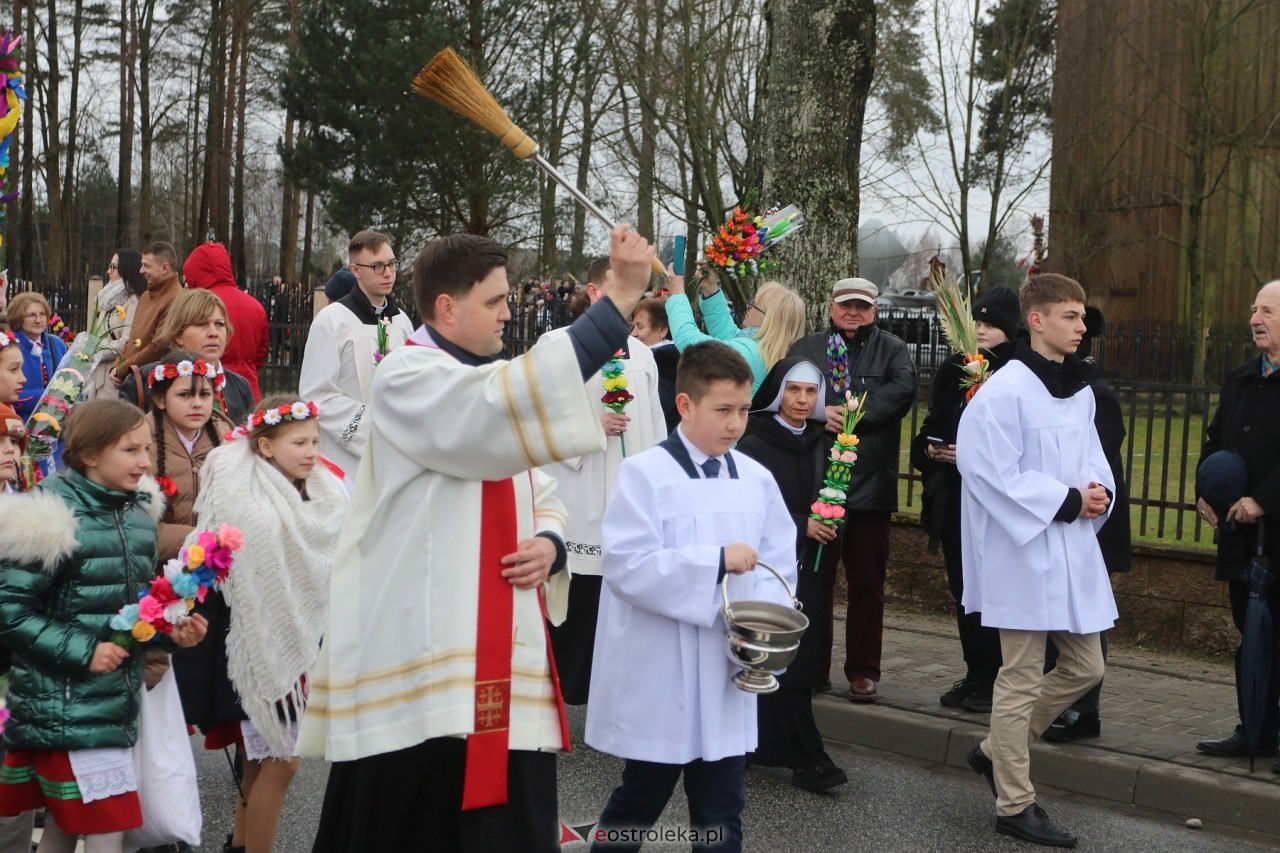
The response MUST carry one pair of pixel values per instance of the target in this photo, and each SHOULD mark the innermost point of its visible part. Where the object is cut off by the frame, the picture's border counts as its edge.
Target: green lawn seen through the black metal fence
(1162, 453)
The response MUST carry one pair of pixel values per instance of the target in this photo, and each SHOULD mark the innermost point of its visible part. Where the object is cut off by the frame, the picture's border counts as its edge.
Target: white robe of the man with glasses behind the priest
(339, 375)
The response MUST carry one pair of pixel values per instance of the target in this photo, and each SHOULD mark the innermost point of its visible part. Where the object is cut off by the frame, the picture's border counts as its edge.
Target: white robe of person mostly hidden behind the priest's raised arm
(587, 482)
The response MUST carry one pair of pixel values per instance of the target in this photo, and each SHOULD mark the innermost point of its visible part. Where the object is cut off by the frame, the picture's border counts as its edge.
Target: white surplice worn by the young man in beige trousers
(1020, 451)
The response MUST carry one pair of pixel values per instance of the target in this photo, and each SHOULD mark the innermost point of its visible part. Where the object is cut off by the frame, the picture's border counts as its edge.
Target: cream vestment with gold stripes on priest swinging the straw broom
(399, 660)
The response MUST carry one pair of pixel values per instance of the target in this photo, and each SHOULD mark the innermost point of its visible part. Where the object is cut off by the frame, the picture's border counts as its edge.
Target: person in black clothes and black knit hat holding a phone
(934, 454)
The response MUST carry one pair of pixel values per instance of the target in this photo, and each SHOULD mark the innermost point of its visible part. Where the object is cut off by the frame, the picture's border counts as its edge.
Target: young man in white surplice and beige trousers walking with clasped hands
(1037, 487)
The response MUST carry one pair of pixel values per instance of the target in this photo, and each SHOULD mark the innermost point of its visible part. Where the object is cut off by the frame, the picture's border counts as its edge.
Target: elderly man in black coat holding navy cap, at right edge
(1245, 422)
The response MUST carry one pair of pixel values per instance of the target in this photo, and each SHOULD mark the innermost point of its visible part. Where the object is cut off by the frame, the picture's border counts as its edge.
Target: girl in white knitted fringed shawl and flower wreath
(275, 487)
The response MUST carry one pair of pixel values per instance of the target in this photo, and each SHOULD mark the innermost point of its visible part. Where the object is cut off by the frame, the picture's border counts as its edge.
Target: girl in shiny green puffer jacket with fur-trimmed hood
(72, 554)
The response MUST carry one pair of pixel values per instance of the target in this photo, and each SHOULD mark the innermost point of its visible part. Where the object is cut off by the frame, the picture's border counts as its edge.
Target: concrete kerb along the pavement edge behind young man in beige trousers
(1160, 786)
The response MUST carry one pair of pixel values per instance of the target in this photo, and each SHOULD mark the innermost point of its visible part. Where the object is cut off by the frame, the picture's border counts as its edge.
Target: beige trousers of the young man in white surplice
(1027, 700)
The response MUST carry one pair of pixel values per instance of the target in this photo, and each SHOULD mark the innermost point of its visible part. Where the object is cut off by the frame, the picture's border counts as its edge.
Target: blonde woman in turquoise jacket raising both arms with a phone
(772, 323)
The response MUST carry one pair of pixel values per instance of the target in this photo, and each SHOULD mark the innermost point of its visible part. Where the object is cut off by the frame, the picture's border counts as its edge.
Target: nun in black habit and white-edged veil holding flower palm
(784, 434)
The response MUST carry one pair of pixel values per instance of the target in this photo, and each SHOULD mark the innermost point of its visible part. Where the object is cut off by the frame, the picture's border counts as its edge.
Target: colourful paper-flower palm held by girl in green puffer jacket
(204, 563)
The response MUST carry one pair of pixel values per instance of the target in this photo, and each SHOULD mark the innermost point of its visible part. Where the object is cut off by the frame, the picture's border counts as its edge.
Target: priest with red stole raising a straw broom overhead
(436, 696)
